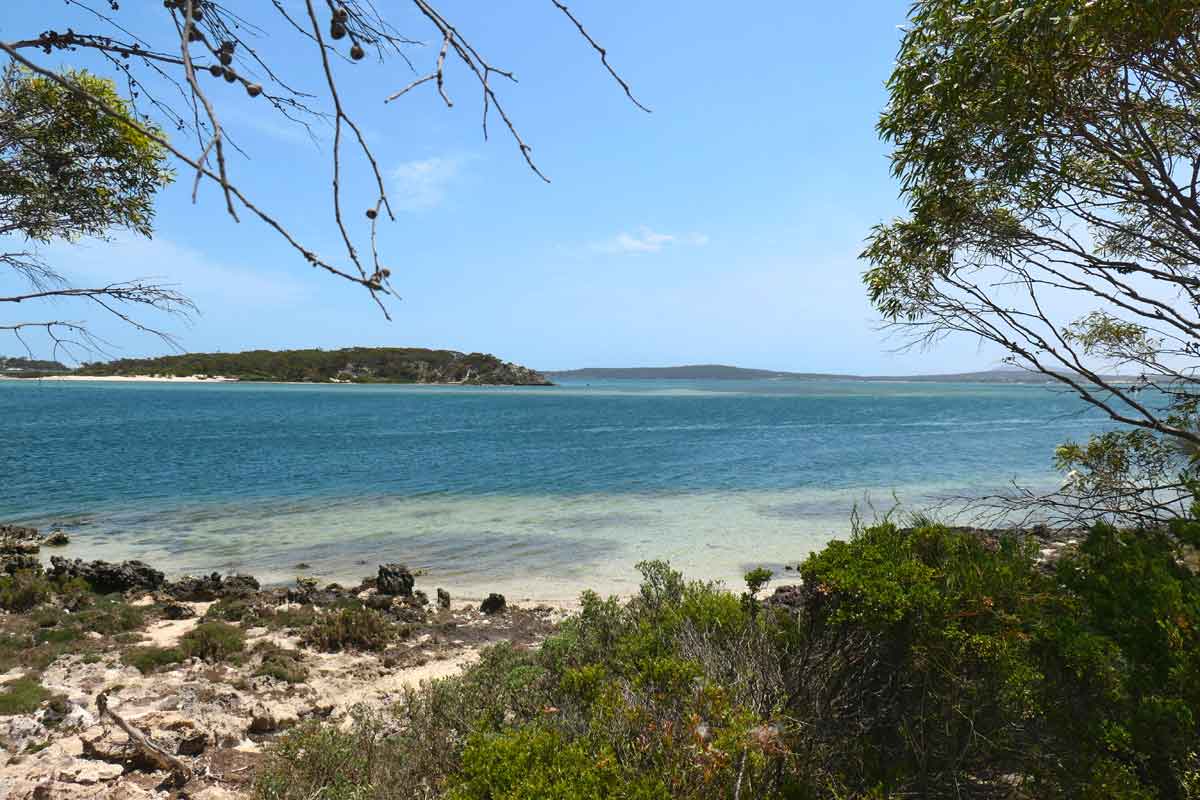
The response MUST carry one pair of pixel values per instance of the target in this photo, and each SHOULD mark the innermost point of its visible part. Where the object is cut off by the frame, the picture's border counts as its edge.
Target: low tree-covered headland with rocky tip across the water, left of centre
(349, 365)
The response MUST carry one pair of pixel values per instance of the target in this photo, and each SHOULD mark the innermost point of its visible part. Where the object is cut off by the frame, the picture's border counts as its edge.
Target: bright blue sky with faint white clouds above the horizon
(724, 227)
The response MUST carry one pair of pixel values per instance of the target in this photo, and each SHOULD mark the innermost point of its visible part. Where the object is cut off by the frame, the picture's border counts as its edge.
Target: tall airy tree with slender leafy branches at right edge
(1049, 157)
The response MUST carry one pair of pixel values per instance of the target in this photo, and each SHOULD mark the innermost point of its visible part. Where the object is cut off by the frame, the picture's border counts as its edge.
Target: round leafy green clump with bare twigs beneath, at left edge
(69, 171)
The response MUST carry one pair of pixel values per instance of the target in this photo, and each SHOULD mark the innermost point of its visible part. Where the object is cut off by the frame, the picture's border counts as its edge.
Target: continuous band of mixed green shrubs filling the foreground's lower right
(917, 661)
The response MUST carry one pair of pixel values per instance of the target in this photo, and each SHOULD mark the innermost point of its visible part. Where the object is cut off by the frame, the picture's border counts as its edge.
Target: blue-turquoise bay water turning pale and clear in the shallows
(536, 492)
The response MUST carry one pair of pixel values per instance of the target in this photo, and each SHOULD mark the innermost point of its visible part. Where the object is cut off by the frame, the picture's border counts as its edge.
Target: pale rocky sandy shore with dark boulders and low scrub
(119, 684)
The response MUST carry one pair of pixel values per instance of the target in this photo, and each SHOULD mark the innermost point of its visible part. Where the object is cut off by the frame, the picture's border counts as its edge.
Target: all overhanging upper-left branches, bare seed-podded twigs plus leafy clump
(176, 63)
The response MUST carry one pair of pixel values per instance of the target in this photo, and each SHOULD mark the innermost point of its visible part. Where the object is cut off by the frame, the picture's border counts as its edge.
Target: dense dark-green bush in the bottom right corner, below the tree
(964, 661)
